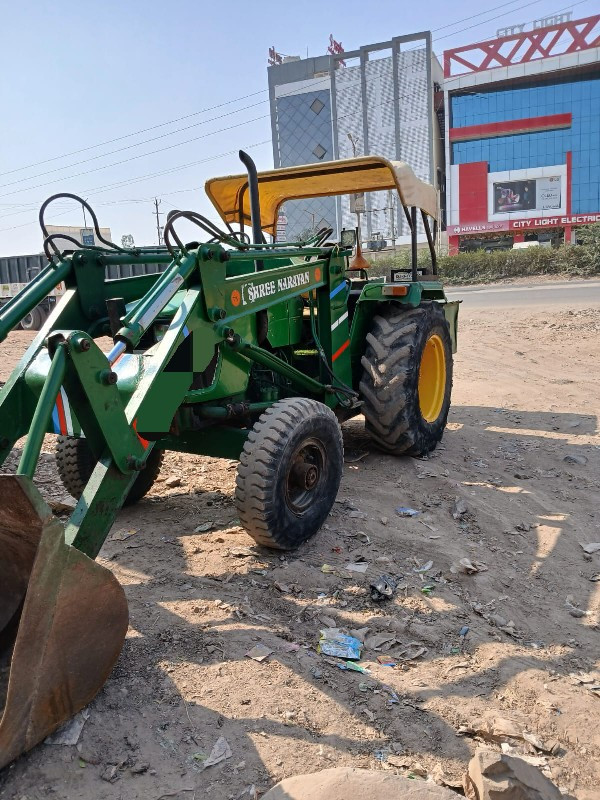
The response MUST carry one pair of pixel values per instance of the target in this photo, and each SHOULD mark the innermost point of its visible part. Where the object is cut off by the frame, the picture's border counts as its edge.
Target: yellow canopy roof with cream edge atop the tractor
(231, 198)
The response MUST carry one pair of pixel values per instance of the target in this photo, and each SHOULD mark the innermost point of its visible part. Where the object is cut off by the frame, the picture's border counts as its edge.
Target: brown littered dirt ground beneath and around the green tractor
(497, 492)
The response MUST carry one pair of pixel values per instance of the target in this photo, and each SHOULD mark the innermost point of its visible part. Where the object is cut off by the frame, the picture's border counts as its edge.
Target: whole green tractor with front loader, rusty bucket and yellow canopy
(239, 348)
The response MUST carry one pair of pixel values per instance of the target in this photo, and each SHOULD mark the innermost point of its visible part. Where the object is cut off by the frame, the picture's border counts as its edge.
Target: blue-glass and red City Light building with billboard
(523, 134)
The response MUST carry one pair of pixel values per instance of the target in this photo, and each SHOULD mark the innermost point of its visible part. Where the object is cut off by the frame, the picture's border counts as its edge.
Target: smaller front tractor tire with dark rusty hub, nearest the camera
(289, 473)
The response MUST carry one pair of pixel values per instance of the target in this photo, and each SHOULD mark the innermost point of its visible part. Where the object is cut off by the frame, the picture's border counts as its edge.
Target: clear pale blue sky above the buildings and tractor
(86, 85)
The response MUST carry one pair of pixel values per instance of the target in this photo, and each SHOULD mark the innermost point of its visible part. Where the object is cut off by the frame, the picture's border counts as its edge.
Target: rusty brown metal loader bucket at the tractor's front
(62, 617)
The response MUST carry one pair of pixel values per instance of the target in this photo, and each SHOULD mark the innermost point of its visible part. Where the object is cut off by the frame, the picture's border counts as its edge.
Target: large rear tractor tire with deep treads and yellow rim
(407, 378)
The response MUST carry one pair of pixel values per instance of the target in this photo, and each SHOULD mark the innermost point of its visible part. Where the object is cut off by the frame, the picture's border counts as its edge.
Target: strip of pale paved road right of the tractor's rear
(571, 294)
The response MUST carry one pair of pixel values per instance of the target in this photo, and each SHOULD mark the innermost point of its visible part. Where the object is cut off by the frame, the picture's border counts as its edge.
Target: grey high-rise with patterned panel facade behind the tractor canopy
(382, 99)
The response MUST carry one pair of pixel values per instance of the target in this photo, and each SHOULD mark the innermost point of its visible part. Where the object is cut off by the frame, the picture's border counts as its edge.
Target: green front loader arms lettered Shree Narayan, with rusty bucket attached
(180, 390)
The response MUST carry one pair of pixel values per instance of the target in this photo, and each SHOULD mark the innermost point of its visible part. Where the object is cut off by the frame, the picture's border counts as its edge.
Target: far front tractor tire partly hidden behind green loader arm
(75, 463)
